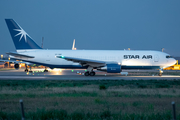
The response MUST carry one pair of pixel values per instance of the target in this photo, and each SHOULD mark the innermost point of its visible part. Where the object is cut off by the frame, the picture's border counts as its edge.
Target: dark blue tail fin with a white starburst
(20, 38)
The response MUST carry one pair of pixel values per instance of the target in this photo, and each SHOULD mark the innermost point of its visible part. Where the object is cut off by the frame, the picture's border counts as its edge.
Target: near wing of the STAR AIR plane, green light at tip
(84, 62)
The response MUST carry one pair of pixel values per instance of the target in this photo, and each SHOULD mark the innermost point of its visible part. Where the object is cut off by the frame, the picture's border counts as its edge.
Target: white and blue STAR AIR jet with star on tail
(110, 61)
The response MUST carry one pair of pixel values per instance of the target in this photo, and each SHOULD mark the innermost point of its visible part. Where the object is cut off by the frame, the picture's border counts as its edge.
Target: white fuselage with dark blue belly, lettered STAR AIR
(128, 59)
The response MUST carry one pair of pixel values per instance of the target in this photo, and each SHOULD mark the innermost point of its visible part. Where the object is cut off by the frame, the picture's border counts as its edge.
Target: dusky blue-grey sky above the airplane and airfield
(95, 24)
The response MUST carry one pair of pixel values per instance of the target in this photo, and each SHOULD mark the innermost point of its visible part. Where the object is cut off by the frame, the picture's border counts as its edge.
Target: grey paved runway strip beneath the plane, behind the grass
(59, 74)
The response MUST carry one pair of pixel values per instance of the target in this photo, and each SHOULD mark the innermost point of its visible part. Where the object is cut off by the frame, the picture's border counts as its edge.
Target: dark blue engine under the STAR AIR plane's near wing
(111, 68)
